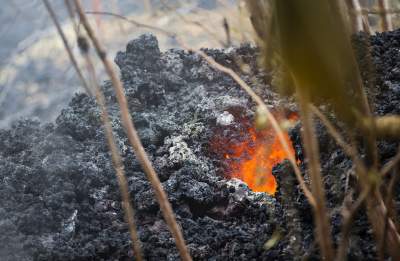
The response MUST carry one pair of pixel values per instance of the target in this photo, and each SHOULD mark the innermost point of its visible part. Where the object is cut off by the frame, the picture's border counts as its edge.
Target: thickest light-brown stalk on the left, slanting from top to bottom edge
(135, 140)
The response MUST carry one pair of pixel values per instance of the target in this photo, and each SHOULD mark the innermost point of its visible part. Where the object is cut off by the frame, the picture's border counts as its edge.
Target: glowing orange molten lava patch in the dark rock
(252, 157)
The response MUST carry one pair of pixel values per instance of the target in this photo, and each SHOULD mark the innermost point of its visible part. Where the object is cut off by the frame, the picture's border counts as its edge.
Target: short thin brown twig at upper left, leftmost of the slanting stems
(66, 46)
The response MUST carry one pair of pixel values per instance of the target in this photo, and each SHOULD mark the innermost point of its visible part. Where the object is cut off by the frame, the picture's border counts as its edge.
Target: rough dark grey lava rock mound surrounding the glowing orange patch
(59, 198)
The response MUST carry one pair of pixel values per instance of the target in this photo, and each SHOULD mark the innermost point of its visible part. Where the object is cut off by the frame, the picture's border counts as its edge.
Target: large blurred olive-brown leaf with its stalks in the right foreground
(308, 46)
